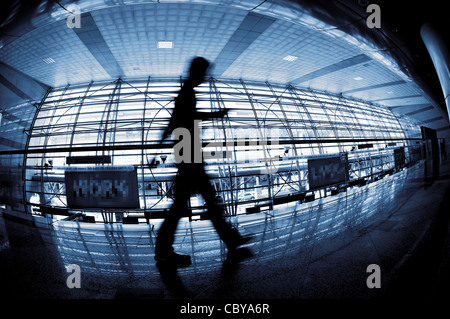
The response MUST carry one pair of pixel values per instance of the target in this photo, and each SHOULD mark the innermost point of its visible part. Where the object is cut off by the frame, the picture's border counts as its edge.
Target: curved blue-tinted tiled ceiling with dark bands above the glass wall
(251, 40)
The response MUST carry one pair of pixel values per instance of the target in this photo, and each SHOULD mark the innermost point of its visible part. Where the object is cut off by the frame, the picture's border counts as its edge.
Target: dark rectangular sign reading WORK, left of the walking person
(102, 187)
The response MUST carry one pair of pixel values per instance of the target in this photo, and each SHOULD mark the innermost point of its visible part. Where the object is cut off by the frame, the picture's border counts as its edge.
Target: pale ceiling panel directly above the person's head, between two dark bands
(132, 34)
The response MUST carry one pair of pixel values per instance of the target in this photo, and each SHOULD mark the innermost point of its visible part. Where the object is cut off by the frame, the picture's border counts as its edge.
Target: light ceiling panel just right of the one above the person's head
(263, 60)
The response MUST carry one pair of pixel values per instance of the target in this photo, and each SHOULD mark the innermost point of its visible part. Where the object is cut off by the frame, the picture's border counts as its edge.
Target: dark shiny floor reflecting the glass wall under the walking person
(318, 250)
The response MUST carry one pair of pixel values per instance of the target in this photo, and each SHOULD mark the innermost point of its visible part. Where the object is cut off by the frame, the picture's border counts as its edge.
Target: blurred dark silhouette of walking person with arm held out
(191, 176)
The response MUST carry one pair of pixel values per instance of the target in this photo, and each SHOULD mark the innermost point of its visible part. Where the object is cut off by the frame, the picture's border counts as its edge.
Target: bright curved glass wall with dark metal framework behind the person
(258, 153)
